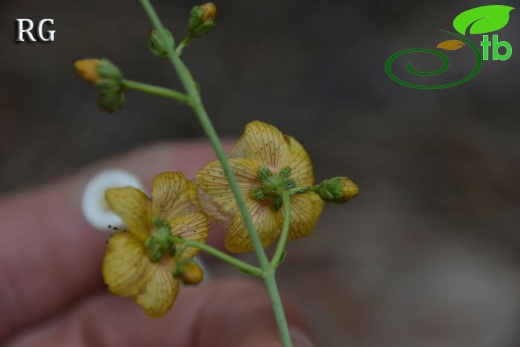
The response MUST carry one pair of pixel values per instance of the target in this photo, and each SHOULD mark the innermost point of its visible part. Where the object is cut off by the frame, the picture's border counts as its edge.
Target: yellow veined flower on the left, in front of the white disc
(136, 264)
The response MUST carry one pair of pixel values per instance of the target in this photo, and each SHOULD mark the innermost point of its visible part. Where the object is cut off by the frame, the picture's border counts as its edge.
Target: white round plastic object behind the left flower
(95, 208)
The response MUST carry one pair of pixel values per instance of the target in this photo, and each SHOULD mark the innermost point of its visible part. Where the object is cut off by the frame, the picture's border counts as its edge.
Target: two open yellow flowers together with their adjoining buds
(148, 260)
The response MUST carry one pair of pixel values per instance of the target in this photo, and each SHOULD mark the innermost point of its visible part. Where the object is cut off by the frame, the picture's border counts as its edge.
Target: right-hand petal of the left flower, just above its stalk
(193, 226)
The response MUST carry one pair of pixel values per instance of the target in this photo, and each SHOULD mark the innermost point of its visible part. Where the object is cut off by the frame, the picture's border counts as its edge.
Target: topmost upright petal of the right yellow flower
(263, 143)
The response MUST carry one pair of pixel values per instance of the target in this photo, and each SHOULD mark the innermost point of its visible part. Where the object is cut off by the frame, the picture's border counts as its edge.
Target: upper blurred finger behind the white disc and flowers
(49, 255)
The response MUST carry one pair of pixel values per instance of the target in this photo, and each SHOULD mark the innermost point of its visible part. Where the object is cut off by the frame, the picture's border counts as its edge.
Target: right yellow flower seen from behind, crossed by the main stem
(264, 162)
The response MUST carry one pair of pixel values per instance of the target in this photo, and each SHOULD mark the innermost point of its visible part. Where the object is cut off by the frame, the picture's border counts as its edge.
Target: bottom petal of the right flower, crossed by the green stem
(267, 222)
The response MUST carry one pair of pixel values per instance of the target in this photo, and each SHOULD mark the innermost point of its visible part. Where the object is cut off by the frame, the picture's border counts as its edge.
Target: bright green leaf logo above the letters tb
(482, 20)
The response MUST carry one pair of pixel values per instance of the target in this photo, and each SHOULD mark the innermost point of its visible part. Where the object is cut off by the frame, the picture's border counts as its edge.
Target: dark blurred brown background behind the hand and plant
(427, 255)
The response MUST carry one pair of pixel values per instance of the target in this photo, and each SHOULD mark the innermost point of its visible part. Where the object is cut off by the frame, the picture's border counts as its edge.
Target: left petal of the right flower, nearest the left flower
(215, 194)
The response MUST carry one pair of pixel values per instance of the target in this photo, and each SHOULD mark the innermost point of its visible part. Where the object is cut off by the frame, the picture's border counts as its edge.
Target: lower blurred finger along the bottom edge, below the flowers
(225, 313)
